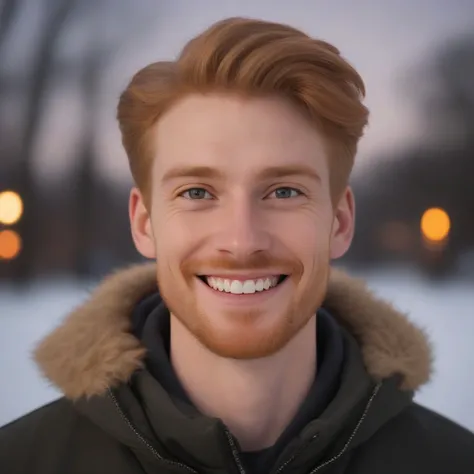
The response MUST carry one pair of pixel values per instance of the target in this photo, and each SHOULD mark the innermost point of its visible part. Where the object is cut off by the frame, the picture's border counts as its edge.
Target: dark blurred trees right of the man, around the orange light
(438, 171)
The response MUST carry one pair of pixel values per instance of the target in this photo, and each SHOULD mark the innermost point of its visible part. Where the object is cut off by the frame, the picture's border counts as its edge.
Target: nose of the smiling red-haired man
(243, 231)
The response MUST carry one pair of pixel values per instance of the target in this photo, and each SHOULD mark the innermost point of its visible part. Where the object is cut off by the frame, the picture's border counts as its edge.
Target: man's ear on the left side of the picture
(140, 224)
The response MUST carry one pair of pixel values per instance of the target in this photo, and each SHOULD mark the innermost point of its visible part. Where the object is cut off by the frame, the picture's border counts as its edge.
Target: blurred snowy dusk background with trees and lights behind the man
(64, 178)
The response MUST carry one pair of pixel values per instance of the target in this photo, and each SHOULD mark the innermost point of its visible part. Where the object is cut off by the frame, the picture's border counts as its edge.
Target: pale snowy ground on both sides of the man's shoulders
(446, 311)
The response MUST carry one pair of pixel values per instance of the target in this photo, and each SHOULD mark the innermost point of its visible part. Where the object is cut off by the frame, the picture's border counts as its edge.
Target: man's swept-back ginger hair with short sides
(252, 58)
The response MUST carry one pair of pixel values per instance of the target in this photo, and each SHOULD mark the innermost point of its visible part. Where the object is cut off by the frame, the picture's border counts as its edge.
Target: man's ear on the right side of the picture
(343, 225)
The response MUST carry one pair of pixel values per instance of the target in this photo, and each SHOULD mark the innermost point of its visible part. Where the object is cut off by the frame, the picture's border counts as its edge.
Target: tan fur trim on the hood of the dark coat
(93, 349)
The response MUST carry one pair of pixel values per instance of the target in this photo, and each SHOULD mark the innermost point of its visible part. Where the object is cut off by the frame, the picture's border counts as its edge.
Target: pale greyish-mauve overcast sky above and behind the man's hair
(384, 40)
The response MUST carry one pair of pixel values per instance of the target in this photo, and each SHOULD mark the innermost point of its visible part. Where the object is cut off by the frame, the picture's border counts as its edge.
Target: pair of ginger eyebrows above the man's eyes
(213, 173)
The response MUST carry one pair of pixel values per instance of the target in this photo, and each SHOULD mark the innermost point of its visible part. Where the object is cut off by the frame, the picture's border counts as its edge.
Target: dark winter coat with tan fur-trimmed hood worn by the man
(115, 417)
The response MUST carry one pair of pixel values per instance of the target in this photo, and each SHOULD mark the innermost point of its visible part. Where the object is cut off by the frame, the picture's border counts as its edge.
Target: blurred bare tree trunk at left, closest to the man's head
(98, 54)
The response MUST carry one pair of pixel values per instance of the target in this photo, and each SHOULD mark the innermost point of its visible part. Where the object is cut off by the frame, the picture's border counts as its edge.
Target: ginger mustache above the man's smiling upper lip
(256, 262)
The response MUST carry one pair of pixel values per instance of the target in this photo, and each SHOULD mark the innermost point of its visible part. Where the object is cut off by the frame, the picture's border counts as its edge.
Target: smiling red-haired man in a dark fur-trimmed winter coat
(254, 356)
